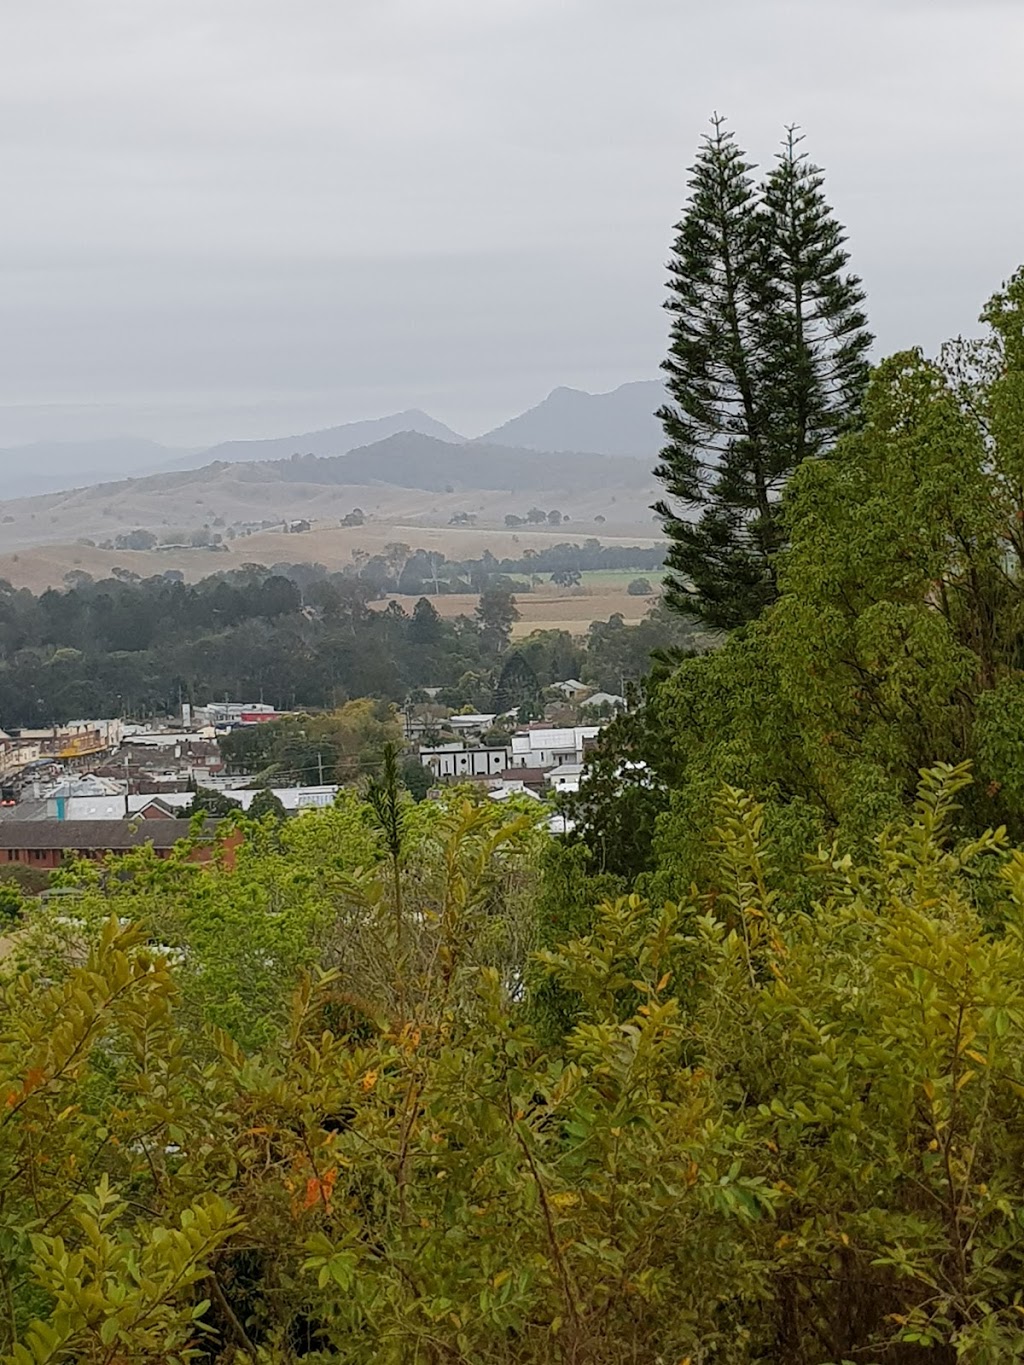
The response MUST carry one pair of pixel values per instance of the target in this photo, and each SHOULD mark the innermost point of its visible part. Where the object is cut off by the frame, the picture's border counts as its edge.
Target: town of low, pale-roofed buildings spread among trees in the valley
(96, 788)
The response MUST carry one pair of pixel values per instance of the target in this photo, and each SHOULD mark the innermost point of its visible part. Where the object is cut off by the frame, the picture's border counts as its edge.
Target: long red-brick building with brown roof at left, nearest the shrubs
(47, 844)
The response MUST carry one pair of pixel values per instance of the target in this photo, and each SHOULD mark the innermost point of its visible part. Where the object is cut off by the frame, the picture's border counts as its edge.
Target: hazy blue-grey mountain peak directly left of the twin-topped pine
(621, 422)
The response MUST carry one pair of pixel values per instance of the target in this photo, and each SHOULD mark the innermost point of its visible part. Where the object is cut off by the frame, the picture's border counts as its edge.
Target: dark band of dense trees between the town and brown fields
(298, 637)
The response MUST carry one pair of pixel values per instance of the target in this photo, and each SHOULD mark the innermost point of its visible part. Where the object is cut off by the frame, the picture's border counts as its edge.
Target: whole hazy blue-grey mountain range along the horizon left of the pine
(616, 424)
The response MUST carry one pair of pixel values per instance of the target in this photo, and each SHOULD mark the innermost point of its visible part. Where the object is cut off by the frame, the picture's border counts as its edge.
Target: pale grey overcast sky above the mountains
(252, 218)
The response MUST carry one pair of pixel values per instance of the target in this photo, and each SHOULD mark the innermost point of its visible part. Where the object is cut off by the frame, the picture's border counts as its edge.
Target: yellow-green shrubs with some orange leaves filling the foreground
(739, 1132)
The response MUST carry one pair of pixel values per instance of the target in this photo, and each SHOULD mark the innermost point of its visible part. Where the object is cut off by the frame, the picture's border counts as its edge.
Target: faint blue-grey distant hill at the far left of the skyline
(48, 466)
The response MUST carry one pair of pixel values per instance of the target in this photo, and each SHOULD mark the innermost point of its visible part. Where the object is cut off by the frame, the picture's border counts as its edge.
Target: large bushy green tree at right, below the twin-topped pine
(898, 640)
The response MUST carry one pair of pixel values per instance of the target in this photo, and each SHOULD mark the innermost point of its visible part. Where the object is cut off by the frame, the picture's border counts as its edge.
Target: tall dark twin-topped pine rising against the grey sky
(767, 365)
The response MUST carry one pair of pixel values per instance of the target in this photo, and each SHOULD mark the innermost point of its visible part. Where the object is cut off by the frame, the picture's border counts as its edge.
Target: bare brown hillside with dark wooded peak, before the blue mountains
(405, 478)
